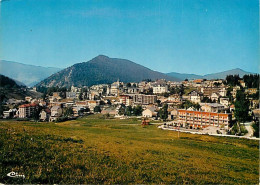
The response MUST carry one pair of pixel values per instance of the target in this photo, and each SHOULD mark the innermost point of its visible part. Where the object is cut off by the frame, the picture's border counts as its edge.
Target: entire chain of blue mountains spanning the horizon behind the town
(100, 69)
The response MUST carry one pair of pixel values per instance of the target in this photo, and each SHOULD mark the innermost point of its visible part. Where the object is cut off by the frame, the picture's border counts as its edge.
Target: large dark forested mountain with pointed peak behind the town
(103, 69)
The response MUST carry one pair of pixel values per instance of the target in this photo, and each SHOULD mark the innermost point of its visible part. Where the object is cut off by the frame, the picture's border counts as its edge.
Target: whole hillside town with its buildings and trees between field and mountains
(190, 104)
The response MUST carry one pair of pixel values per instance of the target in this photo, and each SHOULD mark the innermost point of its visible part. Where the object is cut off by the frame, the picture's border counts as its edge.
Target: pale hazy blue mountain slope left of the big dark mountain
(24, 73)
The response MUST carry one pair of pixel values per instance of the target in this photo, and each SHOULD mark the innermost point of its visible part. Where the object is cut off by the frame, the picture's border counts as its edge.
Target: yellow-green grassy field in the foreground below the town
(95, 150)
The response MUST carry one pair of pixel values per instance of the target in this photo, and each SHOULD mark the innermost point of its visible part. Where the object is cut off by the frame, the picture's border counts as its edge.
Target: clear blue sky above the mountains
(187, 36)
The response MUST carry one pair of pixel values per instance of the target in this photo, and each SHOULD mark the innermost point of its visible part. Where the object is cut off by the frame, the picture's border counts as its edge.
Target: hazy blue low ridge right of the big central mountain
(220, 75)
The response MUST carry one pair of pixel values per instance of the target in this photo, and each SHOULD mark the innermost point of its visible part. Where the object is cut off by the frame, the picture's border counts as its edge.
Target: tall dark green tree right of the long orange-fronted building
(241, 107)
